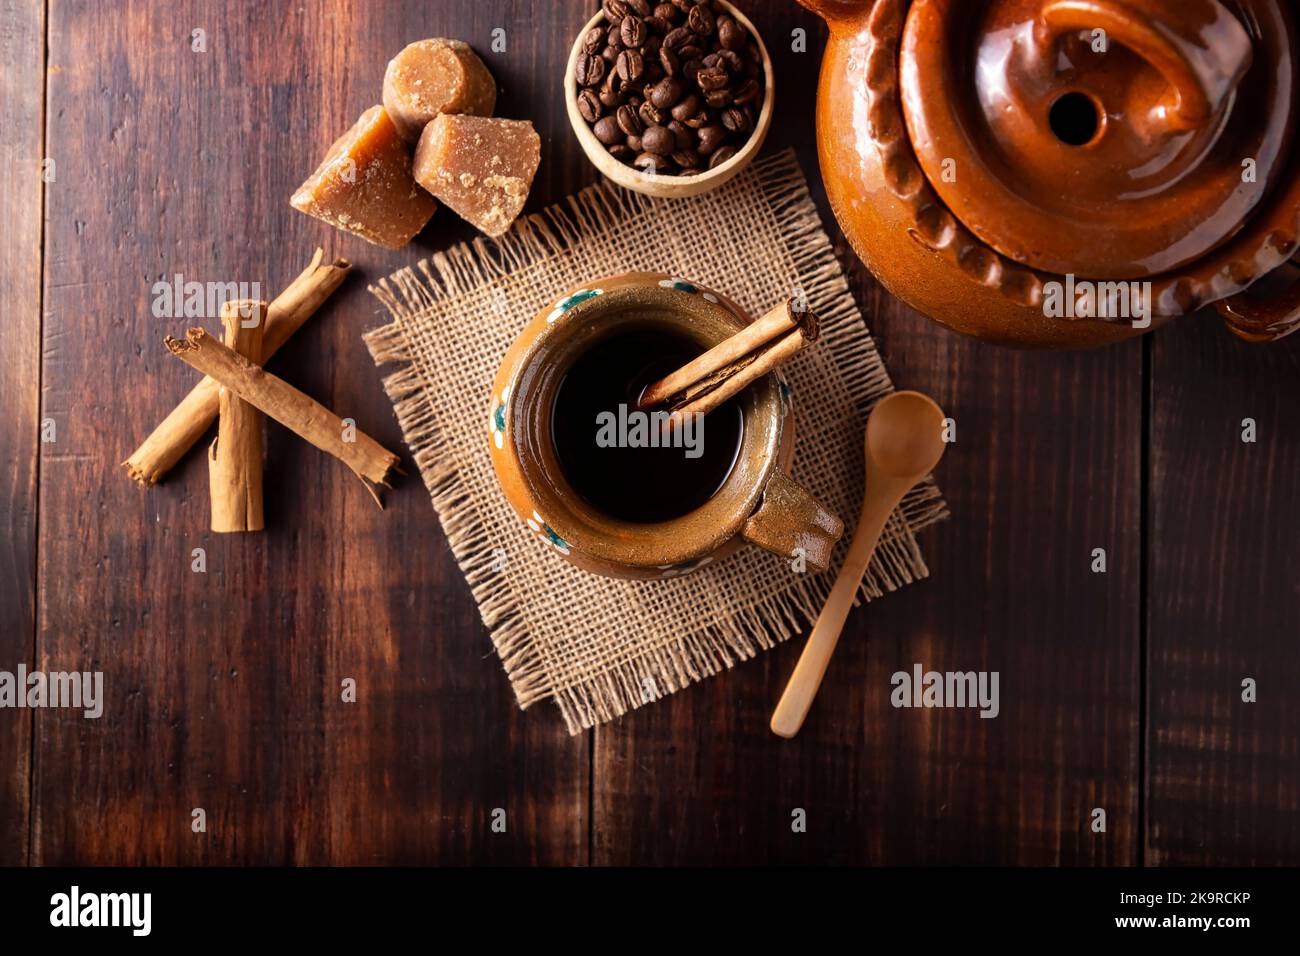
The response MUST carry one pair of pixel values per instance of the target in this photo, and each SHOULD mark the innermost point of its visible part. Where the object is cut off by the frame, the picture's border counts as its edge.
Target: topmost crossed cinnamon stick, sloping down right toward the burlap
(287, 405)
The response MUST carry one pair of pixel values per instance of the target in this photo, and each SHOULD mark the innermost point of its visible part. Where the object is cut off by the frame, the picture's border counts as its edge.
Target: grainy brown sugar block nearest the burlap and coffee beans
(480, 167)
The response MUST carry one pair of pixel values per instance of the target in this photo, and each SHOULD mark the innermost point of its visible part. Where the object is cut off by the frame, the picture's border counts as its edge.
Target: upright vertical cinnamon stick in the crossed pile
(235, 457)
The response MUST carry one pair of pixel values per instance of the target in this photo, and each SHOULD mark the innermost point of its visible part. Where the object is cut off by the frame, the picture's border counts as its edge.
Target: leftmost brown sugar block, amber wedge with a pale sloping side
(365, 185)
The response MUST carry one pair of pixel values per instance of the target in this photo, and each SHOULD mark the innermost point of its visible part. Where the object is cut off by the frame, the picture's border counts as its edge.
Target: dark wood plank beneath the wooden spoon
(1047, 468)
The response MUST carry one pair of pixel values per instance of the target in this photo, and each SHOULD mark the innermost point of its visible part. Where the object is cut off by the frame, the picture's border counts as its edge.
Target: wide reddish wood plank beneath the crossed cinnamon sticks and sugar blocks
(224, 687)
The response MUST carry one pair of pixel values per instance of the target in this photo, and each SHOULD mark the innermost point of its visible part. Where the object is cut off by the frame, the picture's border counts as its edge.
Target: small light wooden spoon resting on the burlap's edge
(904, 444)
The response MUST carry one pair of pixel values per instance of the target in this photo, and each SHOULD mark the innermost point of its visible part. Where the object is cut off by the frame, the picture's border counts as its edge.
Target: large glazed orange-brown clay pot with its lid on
(1068, 174)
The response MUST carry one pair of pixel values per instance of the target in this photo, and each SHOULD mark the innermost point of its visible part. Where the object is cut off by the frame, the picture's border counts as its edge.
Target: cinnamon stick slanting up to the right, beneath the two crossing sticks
(192, 418)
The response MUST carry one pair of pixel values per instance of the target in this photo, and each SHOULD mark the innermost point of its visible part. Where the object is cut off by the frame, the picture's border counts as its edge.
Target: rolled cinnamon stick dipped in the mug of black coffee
(709, 380)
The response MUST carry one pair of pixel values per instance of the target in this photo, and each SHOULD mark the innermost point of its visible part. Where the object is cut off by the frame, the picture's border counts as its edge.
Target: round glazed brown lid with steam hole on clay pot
(1104, 139)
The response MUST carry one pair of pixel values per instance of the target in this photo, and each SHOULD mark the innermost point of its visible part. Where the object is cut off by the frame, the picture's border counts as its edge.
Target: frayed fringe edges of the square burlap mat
(682, 660)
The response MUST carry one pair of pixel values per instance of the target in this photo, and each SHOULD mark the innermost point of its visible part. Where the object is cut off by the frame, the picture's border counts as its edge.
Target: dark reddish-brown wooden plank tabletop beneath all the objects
(1119, 691)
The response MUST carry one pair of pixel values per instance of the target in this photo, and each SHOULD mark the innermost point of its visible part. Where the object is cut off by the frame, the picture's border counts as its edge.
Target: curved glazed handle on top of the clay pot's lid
(1199, 46)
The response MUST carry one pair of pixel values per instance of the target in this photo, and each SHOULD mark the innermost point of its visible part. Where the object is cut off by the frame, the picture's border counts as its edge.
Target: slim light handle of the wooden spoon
(809, 672)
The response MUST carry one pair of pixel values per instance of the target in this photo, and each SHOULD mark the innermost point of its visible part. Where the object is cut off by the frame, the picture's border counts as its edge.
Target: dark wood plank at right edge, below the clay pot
(1225, 600)
